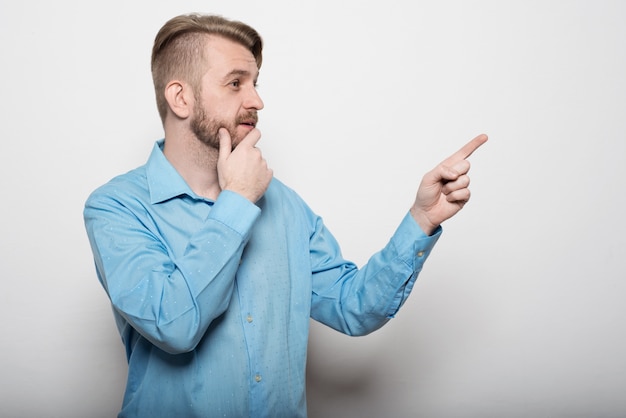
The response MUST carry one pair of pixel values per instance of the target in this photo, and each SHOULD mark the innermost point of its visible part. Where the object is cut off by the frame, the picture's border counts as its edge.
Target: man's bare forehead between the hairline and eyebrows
(225, 56)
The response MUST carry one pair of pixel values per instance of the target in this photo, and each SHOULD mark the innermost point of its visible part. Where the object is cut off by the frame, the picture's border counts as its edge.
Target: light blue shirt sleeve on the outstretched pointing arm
(358, 301)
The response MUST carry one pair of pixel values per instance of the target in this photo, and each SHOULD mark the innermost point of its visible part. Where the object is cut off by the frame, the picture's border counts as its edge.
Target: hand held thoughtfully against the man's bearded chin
(243, 170)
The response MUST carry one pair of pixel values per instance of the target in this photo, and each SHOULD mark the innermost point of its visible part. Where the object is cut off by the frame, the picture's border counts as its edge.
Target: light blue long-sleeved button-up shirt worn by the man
(212, 299)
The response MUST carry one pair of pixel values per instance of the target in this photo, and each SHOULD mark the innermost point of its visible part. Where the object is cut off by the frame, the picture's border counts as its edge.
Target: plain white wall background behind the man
(520, 310)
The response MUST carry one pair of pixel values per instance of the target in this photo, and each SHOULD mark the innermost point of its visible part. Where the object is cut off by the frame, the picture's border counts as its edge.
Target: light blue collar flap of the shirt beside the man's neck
(164, 182)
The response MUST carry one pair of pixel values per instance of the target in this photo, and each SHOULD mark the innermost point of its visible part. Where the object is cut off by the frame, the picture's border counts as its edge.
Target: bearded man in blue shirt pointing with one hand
(214, 267)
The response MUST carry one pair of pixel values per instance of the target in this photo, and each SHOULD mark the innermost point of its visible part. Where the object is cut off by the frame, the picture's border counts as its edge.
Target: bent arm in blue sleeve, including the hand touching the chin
(167, 283)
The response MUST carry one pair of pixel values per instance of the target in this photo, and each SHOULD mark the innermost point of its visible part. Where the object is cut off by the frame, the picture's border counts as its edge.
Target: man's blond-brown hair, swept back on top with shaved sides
(179, 50)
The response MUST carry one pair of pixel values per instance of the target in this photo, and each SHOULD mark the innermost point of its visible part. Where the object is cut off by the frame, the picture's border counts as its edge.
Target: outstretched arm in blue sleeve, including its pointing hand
(359, 301)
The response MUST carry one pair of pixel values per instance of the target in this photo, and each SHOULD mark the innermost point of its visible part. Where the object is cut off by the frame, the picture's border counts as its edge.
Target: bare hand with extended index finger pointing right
(444, 190)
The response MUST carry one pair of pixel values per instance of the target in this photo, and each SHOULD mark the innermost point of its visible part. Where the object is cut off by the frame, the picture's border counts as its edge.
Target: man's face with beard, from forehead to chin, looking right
(228, 97)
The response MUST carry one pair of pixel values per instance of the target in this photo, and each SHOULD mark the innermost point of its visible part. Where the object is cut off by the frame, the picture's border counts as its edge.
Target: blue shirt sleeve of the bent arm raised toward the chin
(169, 300)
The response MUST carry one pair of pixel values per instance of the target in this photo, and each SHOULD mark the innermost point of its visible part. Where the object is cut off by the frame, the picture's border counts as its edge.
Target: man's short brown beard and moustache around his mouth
(206, 129)
